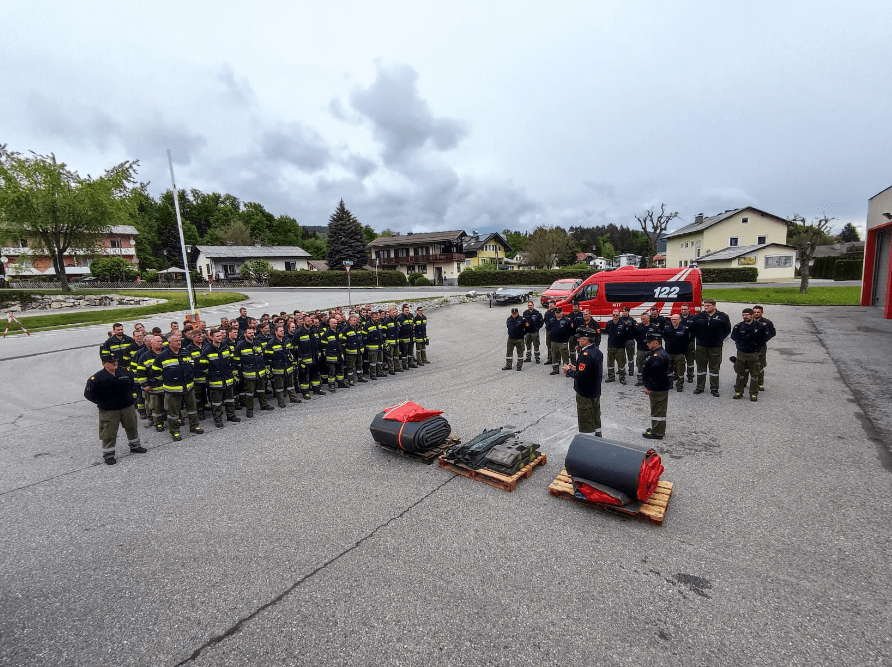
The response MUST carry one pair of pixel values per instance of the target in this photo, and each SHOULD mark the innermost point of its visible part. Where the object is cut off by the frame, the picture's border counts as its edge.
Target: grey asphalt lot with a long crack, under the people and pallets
(290, 539)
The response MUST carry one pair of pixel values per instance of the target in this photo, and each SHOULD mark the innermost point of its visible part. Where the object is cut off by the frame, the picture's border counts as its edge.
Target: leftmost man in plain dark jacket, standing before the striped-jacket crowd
(111, 389)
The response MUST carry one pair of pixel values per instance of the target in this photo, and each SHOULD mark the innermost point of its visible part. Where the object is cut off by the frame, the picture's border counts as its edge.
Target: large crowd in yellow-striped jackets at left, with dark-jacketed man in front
(227, 368)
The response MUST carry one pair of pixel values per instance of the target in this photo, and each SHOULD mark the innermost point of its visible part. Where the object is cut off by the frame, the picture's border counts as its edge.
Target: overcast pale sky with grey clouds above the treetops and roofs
(466, 115)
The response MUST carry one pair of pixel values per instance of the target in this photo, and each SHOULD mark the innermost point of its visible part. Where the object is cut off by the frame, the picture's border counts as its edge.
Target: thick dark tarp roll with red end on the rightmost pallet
(626, 472)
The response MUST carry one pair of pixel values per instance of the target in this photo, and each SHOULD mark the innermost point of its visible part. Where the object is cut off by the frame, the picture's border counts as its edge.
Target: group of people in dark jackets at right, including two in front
(662, 350)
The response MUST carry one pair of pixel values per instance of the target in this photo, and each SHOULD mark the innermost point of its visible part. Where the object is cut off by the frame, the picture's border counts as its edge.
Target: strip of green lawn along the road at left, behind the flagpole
(175, 301)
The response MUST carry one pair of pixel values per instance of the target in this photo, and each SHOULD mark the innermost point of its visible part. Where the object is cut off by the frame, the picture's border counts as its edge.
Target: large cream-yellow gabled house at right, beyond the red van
(738, 228)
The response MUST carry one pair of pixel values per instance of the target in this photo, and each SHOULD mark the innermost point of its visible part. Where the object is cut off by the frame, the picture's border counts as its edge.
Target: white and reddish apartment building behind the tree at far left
(21, 261)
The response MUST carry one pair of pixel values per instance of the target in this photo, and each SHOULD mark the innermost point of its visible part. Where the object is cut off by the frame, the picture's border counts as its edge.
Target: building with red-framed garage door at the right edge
(876, 285)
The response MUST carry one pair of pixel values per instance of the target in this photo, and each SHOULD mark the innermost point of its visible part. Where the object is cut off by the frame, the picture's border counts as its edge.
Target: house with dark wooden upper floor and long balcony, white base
(439, 256)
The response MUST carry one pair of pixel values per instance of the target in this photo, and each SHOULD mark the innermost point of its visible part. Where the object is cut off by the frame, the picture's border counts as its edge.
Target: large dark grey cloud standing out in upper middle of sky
(401, 120)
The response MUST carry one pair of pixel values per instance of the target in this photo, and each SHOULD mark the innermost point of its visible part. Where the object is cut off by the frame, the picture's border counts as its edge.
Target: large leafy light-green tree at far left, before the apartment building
(56, 209)
